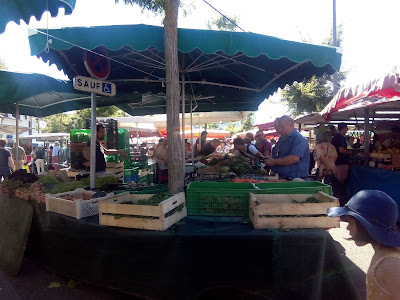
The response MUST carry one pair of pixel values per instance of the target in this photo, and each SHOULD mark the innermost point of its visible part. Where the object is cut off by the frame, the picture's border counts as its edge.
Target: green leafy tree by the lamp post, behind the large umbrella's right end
(315, 93)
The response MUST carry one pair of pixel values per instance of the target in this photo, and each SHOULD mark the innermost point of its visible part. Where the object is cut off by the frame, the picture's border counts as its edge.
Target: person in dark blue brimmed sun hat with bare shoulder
(372, 217)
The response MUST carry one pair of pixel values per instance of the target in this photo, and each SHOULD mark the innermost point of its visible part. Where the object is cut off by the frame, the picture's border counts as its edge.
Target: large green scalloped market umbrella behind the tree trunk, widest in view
(223, 70)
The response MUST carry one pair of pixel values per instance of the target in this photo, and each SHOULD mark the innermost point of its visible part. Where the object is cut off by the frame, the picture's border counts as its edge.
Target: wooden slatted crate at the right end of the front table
(286, 211)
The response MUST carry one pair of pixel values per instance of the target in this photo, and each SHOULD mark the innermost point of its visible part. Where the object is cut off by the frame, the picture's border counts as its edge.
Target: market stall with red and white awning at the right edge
(373, 108)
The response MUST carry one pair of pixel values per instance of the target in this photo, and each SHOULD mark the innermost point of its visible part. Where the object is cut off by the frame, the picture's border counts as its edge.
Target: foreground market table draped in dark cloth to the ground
(196, 255)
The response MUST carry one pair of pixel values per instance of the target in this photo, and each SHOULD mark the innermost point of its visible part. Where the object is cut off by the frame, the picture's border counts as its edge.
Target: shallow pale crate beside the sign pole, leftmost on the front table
(78, 204)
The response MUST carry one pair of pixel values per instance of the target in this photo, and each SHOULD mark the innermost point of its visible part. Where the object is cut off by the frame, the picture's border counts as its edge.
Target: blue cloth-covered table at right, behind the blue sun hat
(365, 178)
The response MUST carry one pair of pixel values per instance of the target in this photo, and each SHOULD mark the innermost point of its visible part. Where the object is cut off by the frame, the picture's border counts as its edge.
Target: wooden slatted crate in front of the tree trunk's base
(160, 217)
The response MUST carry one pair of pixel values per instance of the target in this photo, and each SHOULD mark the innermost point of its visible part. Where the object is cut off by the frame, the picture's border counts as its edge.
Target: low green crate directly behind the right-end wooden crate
(306, 187)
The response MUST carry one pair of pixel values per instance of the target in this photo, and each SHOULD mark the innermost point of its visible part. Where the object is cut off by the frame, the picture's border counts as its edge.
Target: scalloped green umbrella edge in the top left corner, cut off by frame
(17, 10)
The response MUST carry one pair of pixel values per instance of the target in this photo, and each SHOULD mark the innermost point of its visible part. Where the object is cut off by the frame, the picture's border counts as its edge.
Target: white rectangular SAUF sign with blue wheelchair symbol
(95, 86)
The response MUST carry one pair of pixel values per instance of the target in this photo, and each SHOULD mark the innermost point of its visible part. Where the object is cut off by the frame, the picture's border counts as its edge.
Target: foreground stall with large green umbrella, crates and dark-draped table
(201, 252)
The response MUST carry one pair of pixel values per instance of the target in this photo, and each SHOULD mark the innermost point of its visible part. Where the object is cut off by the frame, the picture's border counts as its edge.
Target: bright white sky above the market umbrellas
(370, 41)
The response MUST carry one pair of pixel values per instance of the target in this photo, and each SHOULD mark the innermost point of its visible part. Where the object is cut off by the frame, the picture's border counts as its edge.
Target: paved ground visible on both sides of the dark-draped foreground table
(34, 282)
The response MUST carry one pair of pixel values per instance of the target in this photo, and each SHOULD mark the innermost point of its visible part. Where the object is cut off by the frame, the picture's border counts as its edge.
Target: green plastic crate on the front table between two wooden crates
(218, 198)
